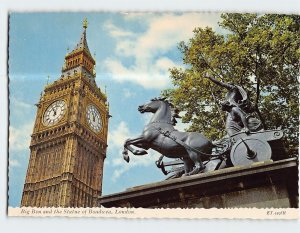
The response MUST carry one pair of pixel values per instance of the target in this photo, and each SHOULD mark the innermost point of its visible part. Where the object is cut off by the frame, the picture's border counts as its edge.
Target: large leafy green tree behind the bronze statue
(259, 52)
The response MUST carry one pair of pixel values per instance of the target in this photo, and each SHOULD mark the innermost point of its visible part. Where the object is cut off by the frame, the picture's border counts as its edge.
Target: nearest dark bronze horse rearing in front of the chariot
(160, 135)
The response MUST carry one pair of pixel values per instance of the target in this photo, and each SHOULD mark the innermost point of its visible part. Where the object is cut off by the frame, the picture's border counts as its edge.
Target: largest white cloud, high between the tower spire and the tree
(148, 49)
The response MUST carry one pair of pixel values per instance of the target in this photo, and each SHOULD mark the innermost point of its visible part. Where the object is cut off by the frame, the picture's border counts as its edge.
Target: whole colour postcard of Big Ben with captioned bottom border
(153, 114)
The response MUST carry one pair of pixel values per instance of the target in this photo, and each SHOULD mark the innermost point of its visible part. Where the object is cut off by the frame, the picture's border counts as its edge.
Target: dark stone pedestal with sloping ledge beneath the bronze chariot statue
(262, 185)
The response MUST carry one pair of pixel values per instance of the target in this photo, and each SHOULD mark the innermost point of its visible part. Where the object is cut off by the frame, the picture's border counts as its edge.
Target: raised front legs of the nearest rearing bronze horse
(138, 142)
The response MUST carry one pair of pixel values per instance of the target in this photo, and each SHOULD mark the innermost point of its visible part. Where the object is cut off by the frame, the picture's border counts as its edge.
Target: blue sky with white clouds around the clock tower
(133, 54)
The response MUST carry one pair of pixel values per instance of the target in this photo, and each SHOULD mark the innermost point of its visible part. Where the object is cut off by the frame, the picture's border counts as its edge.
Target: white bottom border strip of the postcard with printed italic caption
(178, 213)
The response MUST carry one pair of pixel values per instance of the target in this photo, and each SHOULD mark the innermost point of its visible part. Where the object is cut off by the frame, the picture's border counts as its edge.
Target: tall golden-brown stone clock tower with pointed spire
(69, 139)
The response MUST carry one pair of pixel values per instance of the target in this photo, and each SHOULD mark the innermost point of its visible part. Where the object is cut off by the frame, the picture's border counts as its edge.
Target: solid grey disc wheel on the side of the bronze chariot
(250, 150)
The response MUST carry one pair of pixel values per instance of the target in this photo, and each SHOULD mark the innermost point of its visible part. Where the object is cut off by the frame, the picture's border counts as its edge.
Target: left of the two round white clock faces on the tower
(54, 113)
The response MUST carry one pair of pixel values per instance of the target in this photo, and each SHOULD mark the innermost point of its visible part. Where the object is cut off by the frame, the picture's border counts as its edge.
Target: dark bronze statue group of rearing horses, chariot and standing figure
(192, 152)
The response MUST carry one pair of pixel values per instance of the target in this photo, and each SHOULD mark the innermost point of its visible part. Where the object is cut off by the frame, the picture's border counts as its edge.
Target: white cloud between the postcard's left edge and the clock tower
(19, 137)
